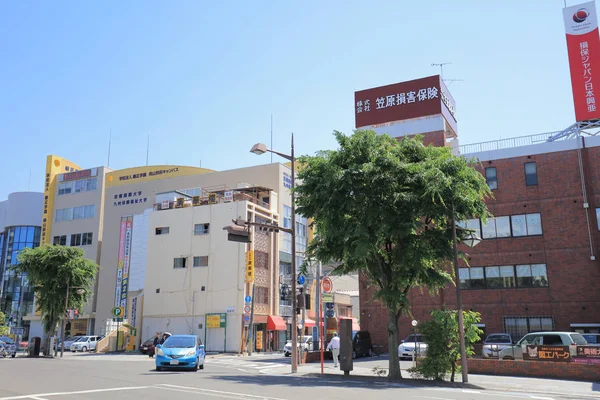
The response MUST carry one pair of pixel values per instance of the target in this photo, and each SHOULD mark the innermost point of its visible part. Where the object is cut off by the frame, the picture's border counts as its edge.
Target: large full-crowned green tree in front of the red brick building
(383, 207)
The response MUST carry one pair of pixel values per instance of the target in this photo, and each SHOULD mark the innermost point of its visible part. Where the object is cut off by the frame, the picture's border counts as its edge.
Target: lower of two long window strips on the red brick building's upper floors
(503, 277)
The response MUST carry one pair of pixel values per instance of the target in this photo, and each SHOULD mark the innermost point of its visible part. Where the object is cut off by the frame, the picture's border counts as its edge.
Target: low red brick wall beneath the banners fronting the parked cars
(538, 369)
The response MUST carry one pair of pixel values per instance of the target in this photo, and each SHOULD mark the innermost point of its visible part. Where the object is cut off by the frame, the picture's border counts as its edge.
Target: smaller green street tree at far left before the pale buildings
(50, 270)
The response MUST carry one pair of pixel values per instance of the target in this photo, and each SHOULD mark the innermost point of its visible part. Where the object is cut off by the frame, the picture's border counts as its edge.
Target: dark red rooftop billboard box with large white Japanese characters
(405, 100)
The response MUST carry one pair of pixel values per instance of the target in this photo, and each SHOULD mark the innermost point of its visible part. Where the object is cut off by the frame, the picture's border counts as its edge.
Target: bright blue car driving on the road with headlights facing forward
(180, 352)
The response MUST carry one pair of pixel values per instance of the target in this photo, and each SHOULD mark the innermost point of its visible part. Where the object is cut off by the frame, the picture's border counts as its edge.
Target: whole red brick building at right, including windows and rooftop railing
(536, 267)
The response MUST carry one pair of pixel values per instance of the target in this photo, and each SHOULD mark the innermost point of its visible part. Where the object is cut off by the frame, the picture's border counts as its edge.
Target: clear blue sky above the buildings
(203, 77)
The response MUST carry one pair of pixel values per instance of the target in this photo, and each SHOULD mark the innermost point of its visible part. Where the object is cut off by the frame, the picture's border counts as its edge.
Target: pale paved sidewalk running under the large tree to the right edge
(573, 389)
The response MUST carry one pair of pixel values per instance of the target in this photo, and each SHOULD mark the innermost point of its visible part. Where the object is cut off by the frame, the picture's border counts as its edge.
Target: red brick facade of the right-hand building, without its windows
(572, 295)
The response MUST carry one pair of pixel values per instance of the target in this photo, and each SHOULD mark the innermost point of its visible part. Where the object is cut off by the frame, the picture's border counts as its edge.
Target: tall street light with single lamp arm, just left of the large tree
(260, 149)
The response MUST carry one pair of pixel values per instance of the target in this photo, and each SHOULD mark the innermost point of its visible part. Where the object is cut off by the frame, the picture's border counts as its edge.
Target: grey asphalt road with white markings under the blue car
(116, 377)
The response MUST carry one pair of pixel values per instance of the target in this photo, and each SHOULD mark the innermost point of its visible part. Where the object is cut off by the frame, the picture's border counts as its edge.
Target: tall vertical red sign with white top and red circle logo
(583, 46)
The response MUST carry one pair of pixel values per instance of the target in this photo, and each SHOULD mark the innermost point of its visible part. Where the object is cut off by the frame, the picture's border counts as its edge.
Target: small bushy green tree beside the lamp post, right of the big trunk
(443, 344)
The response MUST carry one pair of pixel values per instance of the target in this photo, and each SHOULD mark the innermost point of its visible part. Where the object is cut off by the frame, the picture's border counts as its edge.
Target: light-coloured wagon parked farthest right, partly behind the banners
(571, 339)
